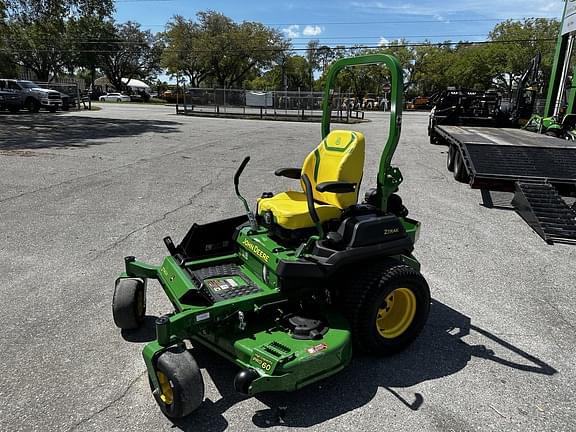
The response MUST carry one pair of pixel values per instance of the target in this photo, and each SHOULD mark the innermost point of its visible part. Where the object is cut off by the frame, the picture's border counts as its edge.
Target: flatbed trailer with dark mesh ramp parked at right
(539, 169)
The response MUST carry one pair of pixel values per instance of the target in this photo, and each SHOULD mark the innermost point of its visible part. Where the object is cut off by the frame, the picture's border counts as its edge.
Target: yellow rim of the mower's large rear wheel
(396, 313)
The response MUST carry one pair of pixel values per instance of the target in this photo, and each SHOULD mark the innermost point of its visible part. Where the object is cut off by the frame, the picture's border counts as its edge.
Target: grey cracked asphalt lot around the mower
(79, 191)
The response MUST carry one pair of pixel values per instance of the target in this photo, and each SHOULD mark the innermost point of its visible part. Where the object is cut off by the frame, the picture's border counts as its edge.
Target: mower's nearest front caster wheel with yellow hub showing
(181, 384)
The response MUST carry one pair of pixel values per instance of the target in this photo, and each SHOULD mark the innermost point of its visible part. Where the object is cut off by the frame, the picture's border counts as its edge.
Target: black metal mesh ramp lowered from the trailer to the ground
(540, 205)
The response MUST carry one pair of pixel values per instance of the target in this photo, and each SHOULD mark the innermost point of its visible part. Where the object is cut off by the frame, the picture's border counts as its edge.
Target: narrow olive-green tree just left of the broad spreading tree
(183, 41)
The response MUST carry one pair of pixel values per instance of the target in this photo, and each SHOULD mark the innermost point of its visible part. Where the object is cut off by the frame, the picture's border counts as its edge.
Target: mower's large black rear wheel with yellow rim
(387, 305)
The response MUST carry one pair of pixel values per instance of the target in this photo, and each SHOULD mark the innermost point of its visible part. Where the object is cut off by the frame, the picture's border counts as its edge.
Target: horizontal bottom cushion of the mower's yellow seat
(290, 210)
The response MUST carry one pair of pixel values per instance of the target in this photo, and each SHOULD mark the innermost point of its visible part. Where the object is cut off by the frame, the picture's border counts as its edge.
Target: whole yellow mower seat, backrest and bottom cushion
(338, 158)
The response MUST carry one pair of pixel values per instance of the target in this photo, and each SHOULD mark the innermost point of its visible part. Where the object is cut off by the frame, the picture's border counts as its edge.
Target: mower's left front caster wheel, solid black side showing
(129, 303)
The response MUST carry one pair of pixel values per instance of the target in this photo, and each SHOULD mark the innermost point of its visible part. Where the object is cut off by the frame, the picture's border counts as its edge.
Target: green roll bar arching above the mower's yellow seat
(388, 177)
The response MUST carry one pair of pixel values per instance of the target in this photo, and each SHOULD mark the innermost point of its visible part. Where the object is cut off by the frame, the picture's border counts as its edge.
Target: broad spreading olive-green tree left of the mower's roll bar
(232, 51)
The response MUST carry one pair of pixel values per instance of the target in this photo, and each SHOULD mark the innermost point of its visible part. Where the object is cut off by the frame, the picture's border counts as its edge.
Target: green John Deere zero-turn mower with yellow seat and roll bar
(286, 293)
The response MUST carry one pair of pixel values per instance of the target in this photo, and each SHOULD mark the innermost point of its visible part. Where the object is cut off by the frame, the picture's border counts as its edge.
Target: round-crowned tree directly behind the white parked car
(133, 53)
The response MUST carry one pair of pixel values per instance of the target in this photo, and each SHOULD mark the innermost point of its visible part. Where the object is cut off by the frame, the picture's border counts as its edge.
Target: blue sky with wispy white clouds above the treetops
(352, 21)
